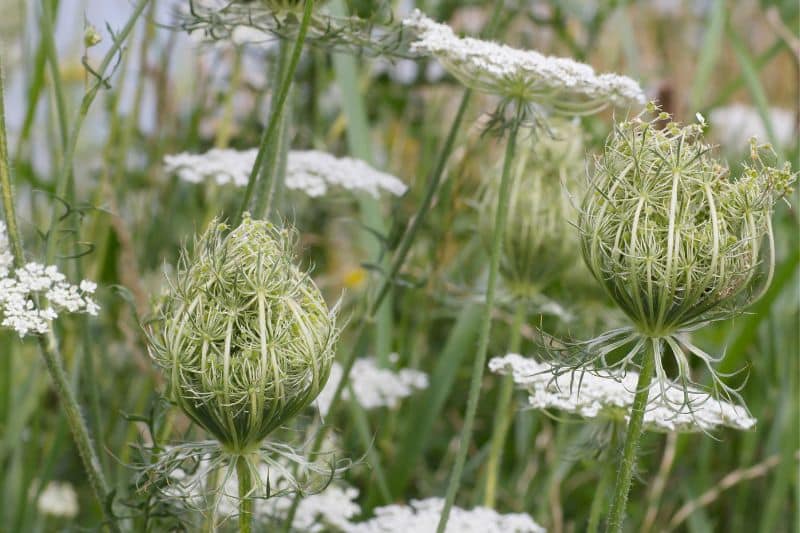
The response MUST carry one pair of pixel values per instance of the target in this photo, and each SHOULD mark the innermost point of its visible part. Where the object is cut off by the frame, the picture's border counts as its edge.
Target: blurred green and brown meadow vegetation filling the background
(124, 219)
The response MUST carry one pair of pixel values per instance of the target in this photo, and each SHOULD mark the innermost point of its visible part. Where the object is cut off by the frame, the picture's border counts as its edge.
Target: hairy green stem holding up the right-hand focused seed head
(625, 472)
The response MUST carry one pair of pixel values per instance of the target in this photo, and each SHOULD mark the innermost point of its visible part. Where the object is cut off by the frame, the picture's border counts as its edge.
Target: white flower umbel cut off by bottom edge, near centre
(422, 516)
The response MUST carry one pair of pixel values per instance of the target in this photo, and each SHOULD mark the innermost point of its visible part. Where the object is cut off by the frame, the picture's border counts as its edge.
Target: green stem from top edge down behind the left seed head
(269, 145)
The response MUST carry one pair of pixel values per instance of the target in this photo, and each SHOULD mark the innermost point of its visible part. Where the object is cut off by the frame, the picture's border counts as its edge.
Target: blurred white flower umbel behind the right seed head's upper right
(733, 126)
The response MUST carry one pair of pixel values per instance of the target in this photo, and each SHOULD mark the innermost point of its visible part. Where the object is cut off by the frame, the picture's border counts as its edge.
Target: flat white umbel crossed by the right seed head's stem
(609, 394)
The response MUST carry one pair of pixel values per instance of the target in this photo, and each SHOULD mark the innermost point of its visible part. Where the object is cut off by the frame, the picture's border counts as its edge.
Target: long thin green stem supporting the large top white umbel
(501, 215)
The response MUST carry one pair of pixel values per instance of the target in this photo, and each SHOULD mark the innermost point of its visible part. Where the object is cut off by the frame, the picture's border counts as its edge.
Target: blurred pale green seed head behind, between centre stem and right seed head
(538, 243)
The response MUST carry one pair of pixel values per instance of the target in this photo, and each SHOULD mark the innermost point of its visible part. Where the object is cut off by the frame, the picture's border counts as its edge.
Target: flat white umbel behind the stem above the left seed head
(310, 171)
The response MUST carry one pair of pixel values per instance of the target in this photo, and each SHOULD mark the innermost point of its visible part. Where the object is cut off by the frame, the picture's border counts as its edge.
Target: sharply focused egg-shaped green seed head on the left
(245, 338)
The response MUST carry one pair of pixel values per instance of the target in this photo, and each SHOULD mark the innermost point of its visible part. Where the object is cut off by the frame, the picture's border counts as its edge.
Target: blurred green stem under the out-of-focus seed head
(503, 412)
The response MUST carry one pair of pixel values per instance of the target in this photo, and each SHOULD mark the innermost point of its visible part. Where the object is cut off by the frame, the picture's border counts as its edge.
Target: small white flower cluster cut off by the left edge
(23, 290)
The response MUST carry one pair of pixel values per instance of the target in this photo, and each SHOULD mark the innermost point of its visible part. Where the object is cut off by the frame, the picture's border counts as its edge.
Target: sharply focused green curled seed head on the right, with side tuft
(673, 239)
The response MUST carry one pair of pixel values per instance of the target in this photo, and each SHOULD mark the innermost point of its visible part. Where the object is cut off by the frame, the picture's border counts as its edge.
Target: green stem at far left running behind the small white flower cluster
(48, 343)
